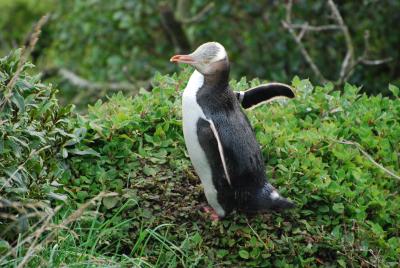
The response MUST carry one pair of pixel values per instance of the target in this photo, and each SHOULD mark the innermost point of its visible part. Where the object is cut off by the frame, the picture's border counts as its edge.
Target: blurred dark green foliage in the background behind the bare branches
(126, 41)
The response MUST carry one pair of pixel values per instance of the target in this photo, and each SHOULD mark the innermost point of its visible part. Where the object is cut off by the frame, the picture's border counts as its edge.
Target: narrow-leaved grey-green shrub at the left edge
(36, 135)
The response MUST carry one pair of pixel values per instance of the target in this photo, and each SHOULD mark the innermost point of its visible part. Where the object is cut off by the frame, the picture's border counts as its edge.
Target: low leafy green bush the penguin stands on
(320, 149)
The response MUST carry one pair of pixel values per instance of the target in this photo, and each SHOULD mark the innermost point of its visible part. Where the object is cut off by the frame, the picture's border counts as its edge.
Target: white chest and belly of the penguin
(191, 113)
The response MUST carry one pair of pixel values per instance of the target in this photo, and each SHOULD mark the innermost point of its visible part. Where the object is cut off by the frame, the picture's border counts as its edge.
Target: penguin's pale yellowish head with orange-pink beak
(209, 58)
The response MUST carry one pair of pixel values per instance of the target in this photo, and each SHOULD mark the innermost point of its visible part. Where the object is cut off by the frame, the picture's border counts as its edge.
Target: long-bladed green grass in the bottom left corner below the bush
(89, 242)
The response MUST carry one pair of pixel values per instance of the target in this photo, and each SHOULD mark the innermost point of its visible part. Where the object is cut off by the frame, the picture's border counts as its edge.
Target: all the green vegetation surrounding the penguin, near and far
(108, 183)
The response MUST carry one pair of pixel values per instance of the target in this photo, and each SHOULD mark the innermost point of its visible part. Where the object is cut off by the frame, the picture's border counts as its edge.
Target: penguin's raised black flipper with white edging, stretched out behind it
(263, 93)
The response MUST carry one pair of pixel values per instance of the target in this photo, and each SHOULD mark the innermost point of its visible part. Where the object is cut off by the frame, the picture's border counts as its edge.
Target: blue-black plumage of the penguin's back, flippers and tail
(247, 188)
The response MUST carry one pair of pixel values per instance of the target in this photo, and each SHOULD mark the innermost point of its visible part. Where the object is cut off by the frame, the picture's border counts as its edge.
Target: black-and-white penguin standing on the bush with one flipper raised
(219, 139)
